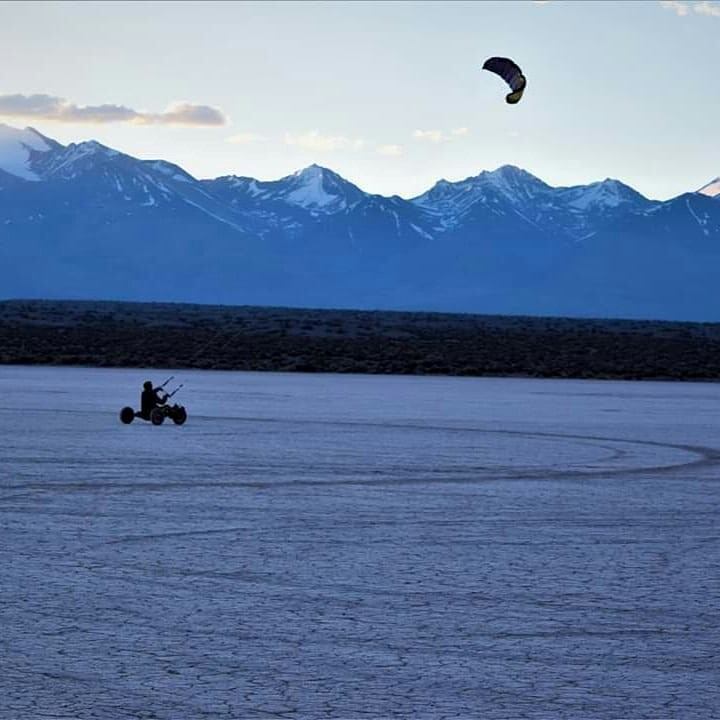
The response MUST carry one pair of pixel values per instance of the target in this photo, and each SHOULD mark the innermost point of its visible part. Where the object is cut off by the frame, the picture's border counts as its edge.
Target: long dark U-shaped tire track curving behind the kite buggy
(703, 457)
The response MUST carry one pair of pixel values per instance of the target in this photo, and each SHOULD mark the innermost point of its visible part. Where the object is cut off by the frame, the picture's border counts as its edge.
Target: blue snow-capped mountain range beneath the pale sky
(84, 221)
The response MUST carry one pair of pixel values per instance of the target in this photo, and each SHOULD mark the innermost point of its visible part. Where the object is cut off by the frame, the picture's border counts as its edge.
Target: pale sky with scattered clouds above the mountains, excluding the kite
(390, 95)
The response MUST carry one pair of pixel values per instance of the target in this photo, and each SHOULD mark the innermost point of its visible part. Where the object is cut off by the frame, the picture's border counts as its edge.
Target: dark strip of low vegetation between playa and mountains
(114, 334)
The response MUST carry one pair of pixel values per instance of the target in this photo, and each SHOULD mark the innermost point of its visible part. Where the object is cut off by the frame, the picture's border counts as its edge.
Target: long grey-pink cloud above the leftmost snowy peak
(49, 107)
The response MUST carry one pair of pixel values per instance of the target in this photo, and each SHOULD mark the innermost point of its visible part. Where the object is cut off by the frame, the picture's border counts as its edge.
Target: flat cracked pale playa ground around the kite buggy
(326, 546)
